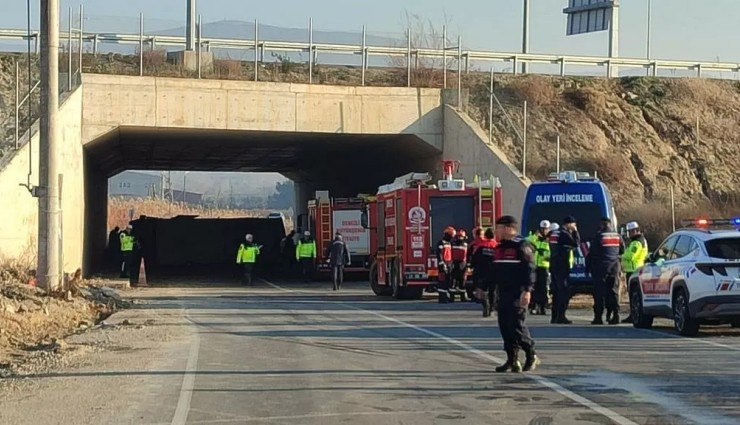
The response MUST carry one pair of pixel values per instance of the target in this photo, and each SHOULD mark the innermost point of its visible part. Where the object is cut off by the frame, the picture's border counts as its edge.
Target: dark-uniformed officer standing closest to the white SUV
(602, 262)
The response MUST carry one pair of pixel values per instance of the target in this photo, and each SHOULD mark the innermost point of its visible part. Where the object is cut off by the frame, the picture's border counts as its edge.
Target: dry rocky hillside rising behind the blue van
(642, 135)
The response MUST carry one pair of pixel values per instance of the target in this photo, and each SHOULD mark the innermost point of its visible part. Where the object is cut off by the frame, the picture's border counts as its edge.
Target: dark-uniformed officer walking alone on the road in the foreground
(514, 273)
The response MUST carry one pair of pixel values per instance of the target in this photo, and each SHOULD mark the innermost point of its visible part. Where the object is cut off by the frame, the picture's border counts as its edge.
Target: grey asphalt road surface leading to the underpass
(283, 353)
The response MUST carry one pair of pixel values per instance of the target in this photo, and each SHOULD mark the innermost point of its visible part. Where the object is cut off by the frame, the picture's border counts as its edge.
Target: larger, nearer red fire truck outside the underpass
(407, 218)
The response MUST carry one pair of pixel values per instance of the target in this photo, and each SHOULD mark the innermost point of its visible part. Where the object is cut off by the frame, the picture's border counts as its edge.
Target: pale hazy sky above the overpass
(682, 29)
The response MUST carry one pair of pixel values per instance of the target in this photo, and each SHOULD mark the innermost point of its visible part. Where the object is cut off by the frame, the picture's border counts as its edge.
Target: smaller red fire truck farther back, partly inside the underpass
(326, 217)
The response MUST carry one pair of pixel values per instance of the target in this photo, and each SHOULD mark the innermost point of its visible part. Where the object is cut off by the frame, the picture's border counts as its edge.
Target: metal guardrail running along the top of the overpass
(408, 52)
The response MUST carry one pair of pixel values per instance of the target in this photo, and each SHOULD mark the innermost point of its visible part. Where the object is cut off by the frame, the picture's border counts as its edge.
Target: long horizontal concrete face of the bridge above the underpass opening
(111, 101)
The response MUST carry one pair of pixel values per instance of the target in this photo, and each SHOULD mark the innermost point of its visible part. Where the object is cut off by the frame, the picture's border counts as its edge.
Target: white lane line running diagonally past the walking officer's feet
(604, 411)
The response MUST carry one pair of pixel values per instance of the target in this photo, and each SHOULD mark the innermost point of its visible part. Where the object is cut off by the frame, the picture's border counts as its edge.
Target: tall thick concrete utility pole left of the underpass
(49, 238)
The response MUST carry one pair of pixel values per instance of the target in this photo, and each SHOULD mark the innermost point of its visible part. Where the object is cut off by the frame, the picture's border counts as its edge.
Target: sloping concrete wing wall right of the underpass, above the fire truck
(466, 142)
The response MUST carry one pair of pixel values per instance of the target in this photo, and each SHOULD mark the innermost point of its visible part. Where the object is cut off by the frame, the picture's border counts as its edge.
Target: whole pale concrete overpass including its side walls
(342, 139)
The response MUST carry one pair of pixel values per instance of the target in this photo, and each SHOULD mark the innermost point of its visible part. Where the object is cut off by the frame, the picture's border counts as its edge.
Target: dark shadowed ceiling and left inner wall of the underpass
(343, 164)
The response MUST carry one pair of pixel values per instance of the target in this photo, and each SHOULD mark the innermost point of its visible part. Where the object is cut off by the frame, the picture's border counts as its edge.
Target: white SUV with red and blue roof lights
(693, 277)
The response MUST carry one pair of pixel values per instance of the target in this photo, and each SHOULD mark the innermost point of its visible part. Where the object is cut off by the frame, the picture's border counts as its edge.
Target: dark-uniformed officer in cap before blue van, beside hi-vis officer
(563, 242)
